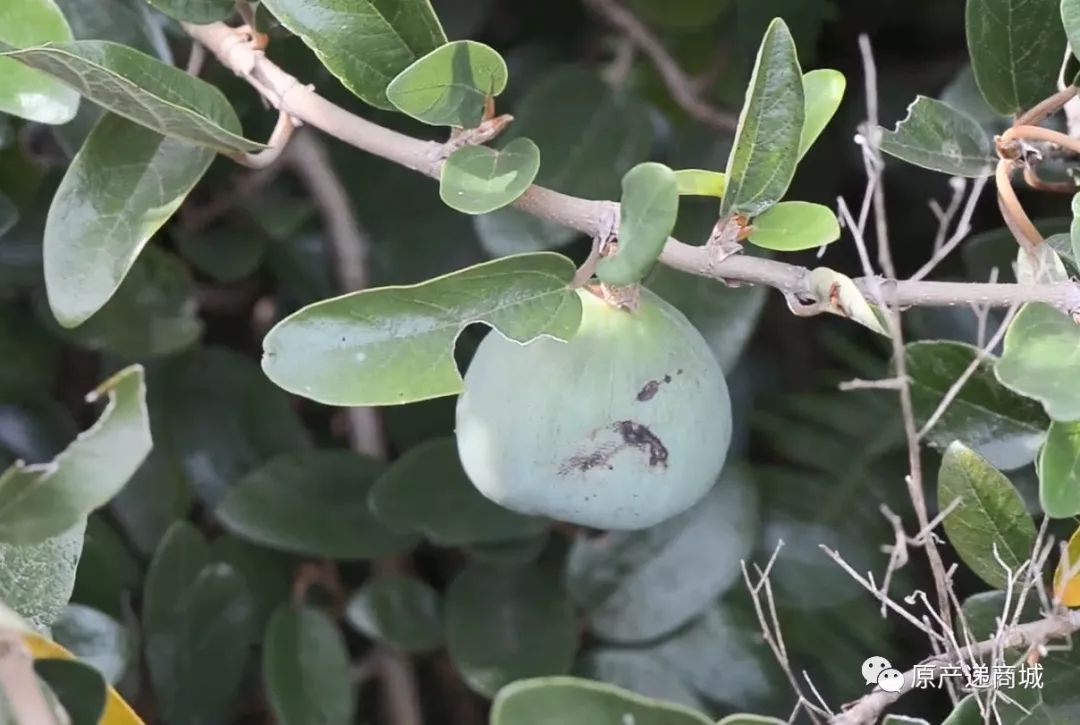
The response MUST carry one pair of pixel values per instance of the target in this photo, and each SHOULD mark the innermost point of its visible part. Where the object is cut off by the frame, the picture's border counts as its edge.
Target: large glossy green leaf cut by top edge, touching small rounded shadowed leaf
(366, 44)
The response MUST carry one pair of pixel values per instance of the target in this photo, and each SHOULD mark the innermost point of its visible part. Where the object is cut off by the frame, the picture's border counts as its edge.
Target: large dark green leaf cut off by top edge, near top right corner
(1017, 48)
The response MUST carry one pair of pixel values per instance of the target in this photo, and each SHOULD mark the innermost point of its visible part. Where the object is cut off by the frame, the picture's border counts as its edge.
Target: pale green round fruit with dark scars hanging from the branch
(623, 427)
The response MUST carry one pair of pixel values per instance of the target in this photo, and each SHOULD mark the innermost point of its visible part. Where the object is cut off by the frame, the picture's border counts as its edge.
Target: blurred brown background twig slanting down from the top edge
(683, 88)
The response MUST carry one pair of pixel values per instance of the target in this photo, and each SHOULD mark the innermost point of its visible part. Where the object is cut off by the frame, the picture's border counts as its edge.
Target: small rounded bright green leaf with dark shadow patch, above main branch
(451, 85)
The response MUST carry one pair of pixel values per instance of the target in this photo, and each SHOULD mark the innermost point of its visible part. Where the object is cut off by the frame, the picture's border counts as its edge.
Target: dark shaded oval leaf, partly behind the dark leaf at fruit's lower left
(313, 504)
